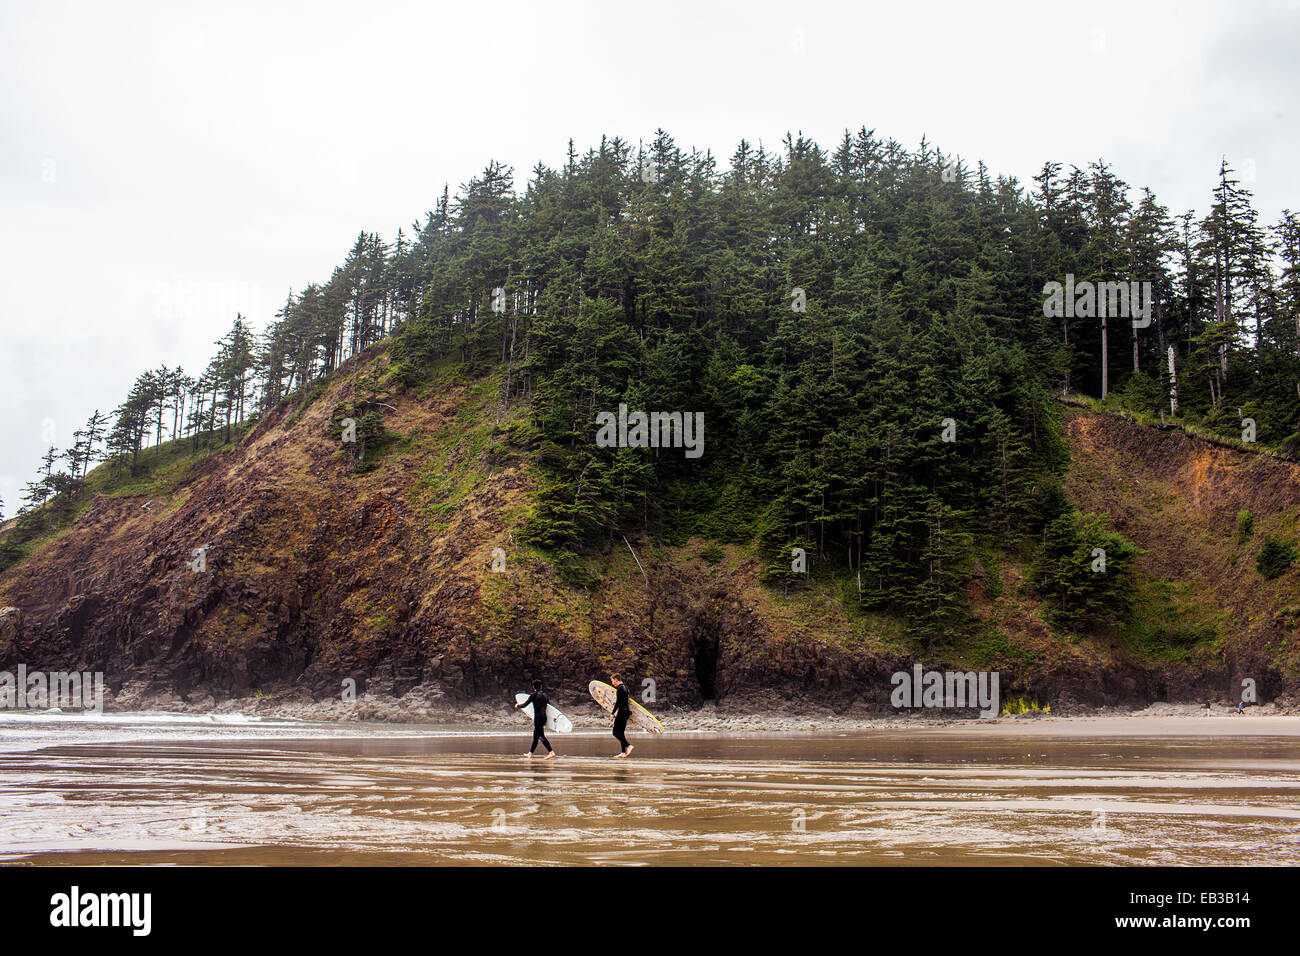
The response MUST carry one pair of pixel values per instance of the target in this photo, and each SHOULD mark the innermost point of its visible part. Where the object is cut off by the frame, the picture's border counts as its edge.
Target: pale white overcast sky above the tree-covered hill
(166, 165)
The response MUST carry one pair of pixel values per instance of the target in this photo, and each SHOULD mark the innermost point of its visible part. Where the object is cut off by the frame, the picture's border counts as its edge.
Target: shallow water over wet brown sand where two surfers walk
(184, 790)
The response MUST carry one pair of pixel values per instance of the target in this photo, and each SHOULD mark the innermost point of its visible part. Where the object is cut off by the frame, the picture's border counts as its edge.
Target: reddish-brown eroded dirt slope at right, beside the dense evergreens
(1178, 498)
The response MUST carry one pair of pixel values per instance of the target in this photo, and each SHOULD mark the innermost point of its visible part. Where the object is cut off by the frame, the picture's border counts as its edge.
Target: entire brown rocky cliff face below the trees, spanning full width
(314, 574)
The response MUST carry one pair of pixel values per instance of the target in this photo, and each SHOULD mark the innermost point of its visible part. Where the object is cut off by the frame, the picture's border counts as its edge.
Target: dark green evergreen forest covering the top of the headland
(863, 328)
